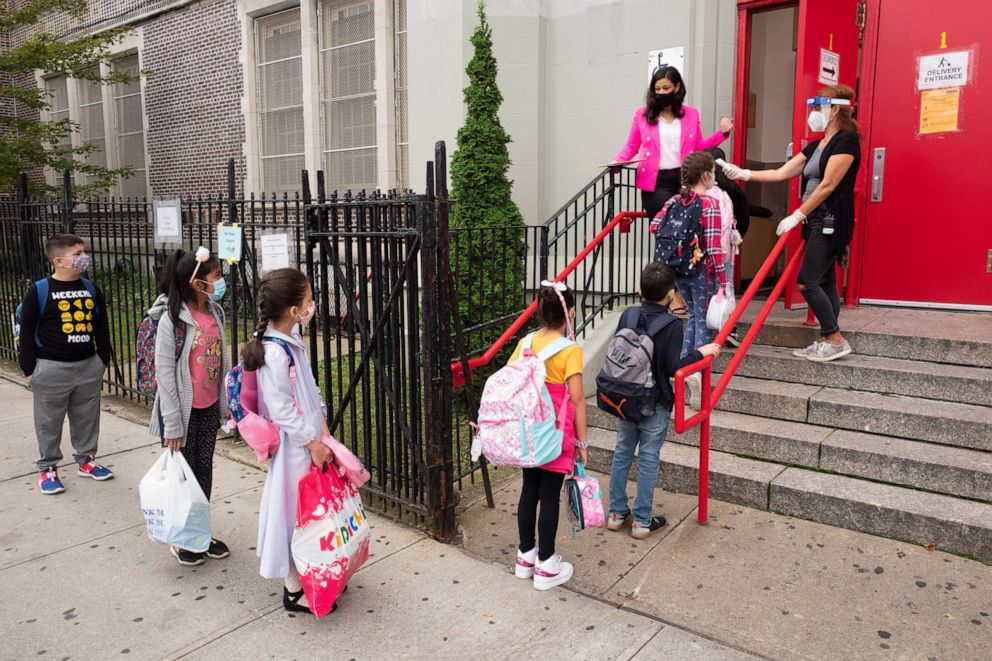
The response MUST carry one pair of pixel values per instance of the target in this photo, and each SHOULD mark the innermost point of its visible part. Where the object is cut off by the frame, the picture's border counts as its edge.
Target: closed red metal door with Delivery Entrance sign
(928, 239)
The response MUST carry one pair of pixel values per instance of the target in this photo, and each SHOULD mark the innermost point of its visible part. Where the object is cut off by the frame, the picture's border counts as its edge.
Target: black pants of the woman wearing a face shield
(818, 278)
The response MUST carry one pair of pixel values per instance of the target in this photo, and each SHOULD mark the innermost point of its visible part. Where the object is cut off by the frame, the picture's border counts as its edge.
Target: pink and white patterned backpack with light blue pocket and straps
(517, 425)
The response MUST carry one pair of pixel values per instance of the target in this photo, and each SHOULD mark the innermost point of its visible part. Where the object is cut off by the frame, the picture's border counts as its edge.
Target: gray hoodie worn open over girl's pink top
(174, 397)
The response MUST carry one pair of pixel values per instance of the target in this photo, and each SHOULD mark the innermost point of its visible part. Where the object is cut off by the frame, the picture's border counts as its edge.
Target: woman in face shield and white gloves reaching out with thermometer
(828, 168)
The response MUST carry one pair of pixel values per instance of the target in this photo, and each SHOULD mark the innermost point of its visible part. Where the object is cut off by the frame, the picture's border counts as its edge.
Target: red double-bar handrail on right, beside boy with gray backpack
(709, 398)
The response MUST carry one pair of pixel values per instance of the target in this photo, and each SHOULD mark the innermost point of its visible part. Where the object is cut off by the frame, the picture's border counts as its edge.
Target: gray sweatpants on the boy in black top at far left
(61, 388)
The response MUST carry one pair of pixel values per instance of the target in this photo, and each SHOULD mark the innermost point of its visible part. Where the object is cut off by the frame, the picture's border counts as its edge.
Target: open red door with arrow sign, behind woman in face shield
(826, 53)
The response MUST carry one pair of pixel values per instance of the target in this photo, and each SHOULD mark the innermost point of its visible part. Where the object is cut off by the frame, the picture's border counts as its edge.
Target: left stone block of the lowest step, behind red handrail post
(733, 479)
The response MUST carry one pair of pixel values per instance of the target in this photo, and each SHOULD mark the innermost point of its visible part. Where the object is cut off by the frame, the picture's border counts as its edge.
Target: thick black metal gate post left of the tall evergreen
(433, 228)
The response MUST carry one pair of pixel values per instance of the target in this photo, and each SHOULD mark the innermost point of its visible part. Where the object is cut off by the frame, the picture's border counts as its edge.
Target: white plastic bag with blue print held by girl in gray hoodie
(175, 508)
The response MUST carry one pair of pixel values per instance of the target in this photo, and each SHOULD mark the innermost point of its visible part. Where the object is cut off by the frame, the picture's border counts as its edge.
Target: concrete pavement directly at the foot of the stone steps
(771, 585)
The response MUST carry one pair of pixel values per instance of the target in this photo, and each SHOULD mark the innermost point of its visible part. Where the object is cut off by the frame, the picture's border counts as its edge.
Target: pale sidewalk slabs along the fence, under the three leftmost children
(82, 581)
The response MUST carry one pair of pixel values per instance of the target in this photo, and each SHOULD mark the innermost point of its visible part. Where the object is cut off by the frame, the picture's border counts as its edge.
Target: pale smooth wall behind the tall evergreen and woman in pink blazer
(571, 73)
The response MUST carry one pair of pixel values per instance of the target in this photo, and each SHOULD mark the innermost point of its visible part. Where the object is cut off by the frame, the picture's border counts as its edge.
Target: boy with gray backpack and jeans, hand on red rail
(634, 385)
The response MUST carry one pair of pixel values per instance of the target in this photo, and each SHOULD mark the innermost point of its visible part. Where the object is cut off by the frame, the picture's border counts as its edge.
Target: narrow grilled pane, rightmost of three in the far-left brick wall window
(130, 115)
